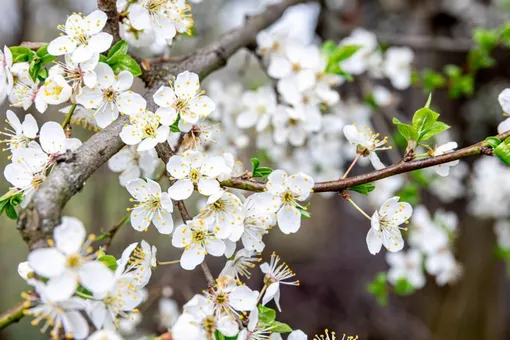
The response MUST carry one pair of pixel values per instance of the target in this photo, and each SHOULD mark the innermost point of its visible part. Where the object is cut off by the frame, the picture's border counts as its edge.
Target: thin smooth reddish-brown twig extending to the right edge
(481, 148)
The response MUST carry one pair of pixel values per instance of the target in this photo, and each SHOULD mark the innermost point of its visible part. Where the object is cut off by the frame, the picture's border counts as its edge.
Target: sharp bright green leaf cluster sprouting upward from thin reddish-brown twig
(424, 125)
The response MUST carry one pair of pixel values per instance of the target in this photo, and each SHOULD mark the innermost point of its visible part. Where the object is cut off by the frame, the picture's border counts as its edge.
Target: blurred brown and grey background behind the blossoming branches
(329, 253)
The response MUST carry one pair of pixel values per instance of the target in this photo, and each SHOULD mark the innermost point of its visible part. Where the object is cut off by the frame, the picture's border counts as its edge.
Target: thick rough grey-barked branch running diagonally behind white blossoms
(37, 222)
